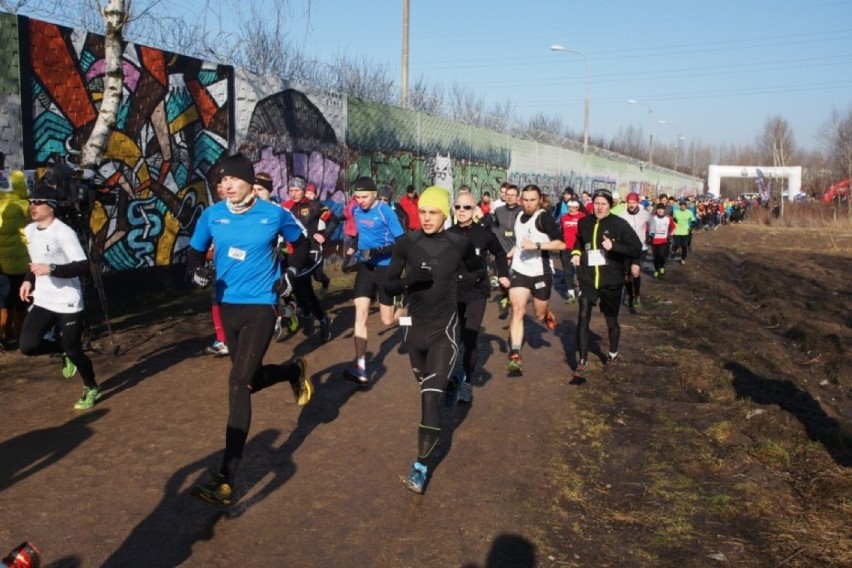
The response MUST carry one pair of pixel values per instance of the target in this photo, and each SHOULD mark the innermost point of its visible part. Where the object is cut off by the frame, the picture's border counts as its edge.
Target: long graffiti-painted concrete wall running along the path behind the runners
(180, 116)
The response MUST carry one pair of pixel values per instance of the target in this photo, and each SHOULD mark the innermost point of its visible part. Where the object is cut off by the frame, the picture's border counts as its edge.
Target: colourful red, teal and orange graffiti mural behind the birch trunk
(171, 128)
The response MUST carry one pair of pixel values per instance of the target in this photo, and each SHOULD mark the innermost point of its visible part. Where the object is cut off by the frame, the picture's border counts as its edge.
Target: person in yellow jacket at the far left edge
(14, 259)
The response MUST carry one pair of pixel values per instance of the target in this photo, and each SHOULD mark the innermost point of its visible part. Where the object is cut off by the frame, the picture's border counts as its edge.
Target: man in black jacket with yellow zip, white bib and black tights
(604, 243)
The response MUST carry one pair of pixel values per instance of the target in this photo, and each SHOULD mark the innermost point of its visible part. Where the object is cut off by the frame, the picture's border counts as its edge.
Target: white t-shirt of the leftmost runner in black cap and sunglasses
(57, 244)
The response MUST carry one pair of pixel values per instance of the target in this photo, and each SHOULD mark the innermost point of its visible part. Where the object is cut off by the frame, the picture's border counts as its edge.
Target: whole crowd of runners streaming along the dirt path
(432, 261)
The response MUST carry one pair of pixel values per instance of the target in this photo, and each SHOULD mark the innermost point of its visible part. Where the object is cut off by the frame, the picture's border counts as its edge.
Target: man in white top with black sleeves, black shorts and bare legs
(537, 236)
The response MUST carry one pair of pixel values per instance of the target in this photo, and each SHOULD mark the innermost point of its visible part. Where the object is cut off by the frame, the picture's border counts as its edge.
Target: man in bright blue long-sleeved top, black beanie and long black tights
(247, 283)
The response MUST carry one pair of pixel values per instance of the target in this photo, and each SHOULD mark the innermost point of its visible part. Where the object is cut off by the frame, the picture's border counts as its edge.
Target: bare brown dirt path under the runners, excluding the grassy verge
(319, 486)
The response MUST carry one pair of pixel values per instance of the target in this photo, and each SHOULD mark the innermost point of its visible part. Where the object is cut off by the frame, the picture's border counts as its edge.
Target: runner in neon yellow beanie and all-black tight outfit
(433, 259)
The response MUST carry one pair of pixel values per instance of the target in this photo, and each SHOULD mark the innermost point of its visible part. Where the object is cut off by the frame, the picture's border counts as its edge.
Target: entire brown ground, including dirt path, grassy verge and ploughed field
(724, 438)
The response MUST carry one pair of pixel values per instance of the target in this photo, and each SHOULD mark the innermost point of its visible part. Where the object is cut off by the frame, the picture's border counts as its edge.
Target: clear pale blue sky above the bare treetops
(714, 71)
